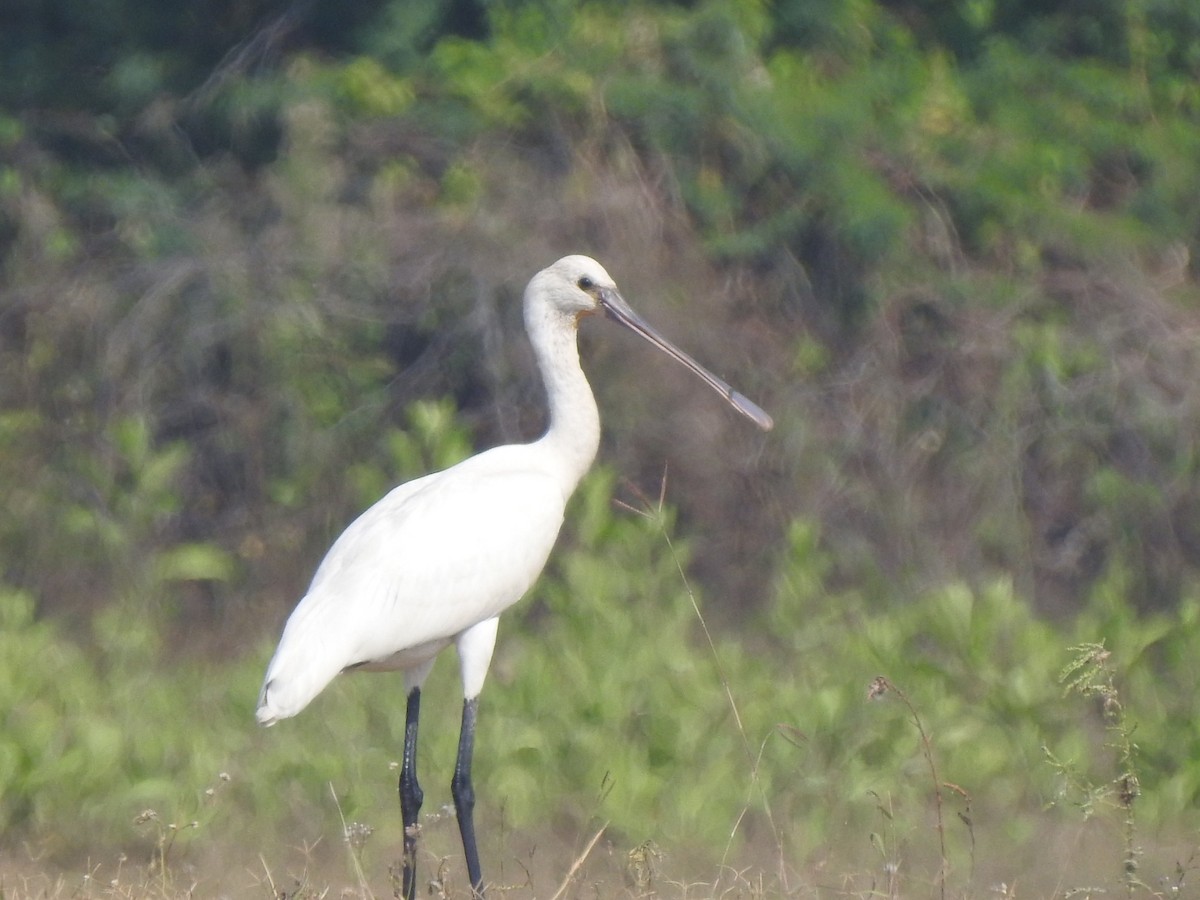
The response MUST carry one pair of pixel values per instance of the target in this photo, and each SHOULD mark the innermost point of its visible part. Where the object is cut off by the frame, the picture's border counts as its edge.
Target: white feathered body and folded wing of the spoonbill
(428, 562)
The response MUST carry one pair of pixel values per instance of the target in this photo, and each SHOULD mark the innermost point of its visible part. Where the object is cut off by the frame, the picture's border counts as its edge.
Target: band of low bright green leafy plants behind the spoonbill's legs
(607, 703)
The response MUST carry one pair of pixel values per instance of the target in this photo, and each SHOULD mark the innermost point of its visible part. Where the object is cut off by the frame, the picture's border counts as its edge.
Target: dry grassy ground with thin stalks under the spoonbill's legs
(1053, 855)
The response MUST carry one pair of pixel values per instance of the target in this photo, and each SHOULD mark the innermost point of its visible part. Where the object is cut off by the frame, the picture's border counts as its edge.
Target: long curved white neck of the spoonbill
(574, 435)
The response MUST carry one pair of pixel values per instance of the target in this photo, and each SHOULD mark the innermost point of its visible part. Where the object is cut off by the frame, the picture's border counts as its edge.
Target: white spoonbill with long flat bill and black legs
(440, 559)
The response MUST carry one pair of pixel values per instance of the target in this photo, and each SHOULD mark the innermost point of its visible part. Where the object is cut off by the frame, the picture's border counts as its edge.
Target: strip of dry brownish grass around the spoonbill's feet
(1069, 862)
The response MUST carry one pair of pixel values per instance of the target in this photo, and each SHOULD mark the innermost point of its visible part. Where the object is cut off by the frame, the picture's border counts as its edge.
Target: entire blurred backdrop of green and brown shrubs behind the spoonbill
(259, 265)
